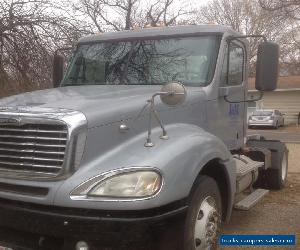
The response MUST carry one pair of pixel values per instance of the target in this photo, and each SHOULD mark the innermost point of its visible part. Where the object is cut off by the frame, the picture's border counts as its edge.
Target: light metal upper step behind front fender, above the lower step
(245, 165)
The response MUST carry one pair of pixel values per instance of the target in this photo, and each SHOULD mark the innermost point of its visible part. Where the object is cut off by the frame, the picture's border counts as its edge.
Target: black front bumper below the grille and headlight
(30, 226)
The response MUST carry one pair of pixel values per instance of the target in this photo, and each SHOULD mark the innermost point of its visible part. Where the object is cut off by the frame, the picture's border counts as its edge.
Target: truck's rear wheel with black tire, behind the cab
(276, 177)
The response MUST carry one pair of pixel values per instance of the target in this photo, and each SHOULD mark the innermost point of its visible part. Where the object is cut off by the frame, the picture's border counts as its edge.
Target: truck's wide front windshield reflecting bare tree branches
(190, 61)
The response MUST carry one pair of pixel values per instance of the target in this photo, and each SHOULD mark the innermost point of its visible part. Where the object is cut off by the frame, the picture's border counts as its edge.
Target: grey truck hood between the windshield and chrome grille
(100, 104)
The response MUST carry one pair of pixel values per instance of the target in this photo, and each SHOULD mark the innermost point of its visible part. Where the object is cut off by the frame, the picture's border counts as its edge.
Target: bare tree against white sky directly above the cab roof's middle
(118, 15)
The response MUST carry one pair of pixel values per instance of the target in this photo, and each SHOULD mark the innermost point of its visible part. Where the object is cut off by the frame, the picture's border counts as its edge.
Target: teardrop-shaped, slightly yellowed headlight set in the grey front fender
(133, 184)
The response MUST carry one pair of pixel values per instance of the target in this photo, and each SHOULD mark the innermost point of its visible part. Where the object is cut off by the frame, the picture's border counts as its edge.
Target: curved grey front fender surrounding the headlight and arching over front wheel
(179, 159)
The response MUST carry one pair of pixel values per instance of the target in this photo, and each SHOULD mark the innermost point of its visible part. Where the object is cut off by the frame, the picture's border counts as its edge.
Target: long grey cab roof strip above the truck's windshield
(155, 32)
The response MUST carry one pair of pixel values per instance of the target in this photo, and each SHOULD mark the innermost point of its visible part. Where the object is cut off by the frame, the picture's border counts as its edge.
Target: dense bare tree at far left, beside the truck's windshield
(30, 31)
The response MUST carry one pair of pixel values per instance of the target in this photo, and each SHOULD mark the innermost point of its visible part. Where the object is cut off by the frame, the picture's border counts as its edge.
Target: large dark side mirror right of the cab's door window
(267, 66)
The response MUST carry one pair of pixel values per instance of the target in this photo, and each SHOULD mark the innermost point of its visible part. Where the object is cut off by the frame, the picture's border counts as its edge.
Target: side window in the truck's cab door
(236, 66)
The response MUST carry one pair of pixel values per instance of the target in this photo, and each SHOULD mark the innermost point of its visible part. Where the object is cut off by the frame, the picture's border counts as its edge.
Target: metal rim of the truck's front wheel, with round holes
(206, 224)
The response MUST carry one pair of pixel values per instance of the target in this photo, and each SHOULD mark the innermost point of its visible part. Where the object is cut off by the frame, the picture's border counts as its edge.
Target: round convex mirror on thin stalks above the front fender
(173, 94)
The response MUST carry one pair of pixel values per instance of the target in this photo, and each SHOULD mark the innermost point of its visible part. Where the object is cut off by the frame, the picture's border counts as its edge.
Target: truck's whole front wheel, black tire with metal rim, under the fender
(204, 215)
